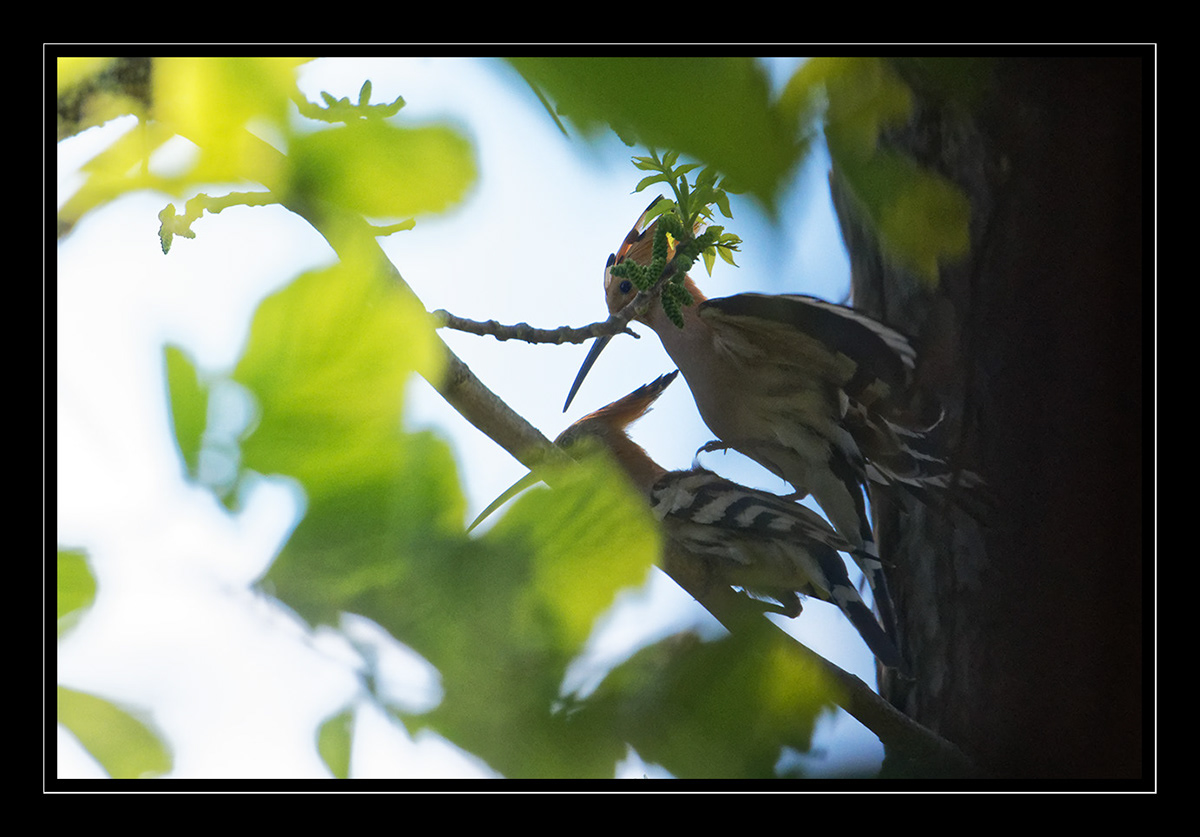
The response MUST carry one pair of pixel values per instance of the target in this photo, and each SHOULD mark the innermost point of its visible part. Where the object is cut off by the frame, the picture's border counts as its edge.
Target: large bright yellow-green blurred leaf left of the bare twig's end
(328, 360)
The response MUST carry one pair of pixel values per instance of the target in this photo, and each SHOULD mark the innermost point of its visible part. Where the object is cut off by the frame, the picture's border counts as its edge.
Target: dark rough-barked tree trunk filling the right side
(1027, 634)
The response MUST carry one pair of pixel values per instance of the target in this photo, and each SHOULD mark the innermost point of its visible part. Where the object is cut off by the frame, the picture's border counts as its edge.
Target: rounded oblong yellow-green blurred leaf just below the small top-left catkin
(383, 171)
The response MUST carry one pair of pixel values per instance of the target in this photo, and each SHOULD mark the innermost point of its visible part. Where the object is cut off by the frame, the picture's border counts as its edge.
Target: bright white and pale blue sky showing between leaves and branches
(233, 682)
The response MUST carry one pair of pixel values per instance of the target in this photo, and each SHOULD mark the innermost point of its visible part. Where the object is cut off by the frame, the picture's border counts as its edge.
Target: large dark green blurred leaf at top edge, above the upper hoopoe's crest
(716, 110)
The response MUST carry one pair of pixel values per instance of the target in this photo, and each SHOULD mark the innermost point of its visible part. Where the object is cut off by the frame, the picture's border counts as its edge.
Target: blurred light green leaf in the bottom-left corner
(124, 745)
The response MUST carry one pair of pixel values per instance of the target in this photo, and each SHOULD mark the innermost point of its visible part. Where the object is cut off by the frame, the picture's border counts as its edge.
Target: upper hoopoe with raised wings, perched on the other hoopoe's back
(806, 388)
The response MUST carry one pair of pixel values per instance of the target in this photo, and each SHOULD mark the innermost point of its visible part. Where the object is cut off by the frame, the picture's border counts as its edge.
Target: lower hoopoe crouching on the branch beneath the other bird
(746, 538)
